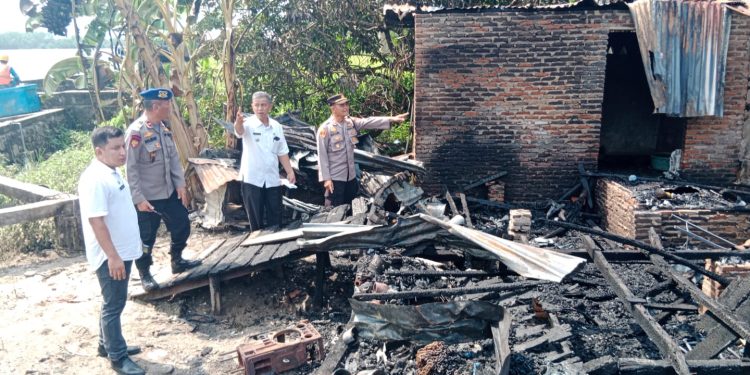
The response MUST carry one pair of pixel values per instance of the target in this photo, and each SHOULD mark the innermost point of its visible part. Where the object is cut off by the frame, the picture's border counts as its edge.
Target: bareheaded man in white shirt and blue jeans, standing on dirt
(110, 230)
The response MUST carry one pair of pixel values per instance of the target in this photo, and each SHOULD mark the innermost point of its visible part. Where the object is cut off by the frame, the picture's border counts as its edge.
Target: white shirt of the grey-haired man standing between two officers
(261, 147)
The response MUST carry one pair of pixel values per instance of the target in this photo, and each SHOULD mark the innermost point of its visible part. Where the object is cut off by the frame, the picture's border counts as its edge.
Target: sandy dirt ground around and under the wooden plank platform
(49, 306)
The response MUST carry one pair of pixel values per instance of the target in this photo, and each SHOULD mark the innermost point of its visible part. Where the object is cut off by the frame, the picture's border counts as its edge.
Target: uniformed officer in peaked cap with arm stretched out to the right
(337, 138)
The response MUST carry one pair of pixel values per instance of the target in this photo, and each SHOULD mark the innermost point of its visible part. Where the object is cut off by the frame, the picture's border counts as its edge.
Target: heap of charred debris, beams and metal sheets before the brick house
(462, 283)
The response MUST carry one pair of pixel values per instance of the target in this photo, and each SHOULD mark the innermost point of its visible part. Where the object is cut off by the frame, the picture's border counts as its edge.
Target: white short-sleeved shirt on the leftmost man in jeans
(103, 192)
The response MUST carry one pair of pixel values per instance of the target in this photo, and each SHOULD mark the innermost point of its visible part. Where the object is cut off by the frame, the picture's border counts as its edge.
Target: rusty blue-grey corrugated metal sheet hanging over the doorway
(684, 51)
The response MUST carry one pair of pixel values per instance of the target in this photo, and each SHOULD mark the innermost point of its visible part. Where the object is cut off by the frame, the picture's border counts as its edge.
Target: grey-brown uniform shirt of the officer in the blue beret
(153, 165)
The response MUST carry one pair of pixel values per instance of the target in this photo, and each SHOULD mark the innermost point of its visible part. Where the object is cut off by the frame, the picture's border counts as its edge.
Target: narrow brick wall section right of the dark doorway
(712, 144)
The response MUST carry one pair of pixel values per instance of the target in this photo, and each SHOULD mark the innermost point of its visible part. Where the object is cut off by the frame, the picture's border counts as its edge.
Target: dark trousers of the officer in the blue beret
(176, 219)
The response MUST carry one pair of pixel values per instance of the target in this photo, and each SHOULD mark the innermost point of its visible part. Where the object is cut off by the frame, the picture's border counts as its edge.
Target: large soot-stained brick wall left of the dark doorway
(511, 91)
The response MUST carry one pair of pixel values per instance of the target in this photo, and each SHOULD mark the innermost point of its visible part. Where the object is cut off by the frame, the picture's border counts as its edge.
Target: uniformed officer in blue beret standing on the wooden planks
(157, 183)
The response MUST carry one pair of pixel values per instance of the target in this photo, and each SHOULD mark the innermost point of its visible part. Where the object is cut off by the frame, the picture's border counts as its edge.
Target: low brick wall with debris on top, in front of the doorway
(621, 214)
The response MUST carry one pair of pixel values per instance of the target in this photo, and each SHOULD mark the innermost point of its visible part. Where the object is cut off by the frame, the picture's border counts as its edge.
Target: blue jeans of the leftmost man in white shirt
(114, 295)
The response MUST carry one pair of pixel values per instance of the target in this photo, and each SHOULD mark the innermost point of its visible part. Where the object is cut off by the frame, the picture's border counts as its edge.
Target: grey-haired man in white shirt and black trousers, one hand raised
(263, 147)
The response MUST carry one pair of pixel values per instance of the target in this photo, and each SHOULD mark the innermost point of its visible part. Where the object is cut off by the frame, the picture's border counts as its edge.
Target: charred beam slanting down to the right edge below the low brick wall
(718, 310)
